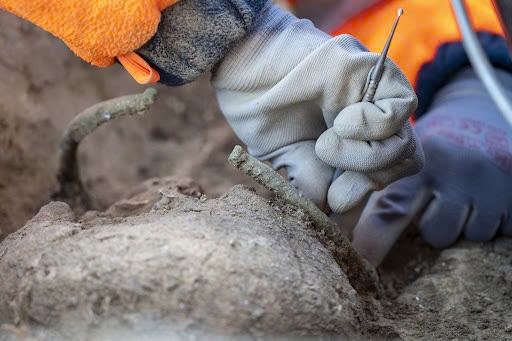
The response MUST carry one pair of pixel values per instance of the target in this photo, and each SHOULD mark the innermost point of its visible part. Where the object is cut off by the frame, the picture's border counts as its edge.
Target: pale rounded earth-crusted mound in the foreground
(232, 265)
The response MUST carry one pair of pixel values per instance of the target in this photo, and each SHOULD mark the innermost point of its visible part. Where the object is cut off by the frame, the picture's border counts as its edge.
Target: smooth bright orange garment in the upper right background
(424, 27)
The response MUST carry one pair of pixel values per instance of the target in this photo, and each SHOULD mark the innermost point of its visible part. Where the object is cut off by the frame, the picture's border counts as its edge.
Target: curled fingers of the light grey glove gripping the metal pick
(385, 159)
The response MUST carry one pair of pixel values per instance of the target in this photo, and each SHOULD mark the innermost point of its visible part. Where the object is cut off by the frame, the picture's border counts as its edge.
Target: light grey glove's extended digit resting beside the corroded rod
(306, 171)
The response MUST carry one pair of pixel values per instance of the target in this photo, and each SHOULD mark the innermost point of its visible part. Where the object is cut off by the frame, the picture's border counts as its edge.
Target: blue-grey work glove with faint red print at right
(465, 188)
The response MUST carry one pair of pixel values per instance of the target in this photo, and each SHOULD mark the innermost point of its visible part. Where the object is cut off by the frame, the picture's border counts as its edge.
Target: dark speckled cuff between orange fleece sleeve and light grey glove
(194, 35)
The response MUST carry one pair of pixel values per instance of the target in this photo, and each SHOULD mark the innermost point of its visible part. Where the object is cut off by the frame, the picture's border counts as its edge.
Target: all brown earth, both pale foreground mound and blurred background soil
(191, 265)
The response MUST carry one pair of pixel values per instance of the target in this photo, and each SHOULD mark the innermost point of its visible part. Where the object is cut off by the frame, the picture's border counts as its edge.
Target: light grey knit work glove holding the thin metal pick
(287, 82)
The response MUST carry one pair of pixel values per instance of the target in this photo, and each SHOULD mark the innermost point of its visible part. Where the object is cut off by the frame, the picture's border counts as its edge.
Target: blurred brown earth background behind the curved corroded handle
(43, 86)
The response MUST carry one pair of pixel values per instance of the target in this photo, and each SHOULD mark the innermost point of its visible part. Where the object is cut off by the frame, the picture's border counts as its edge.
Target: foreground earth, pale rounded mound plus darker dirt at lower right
(238, 266)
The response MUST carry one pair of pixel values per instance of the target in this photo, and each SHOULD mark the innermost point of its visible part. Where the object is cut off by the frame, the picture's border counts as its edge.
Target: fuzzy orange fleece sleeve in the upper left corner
(96, 30)
